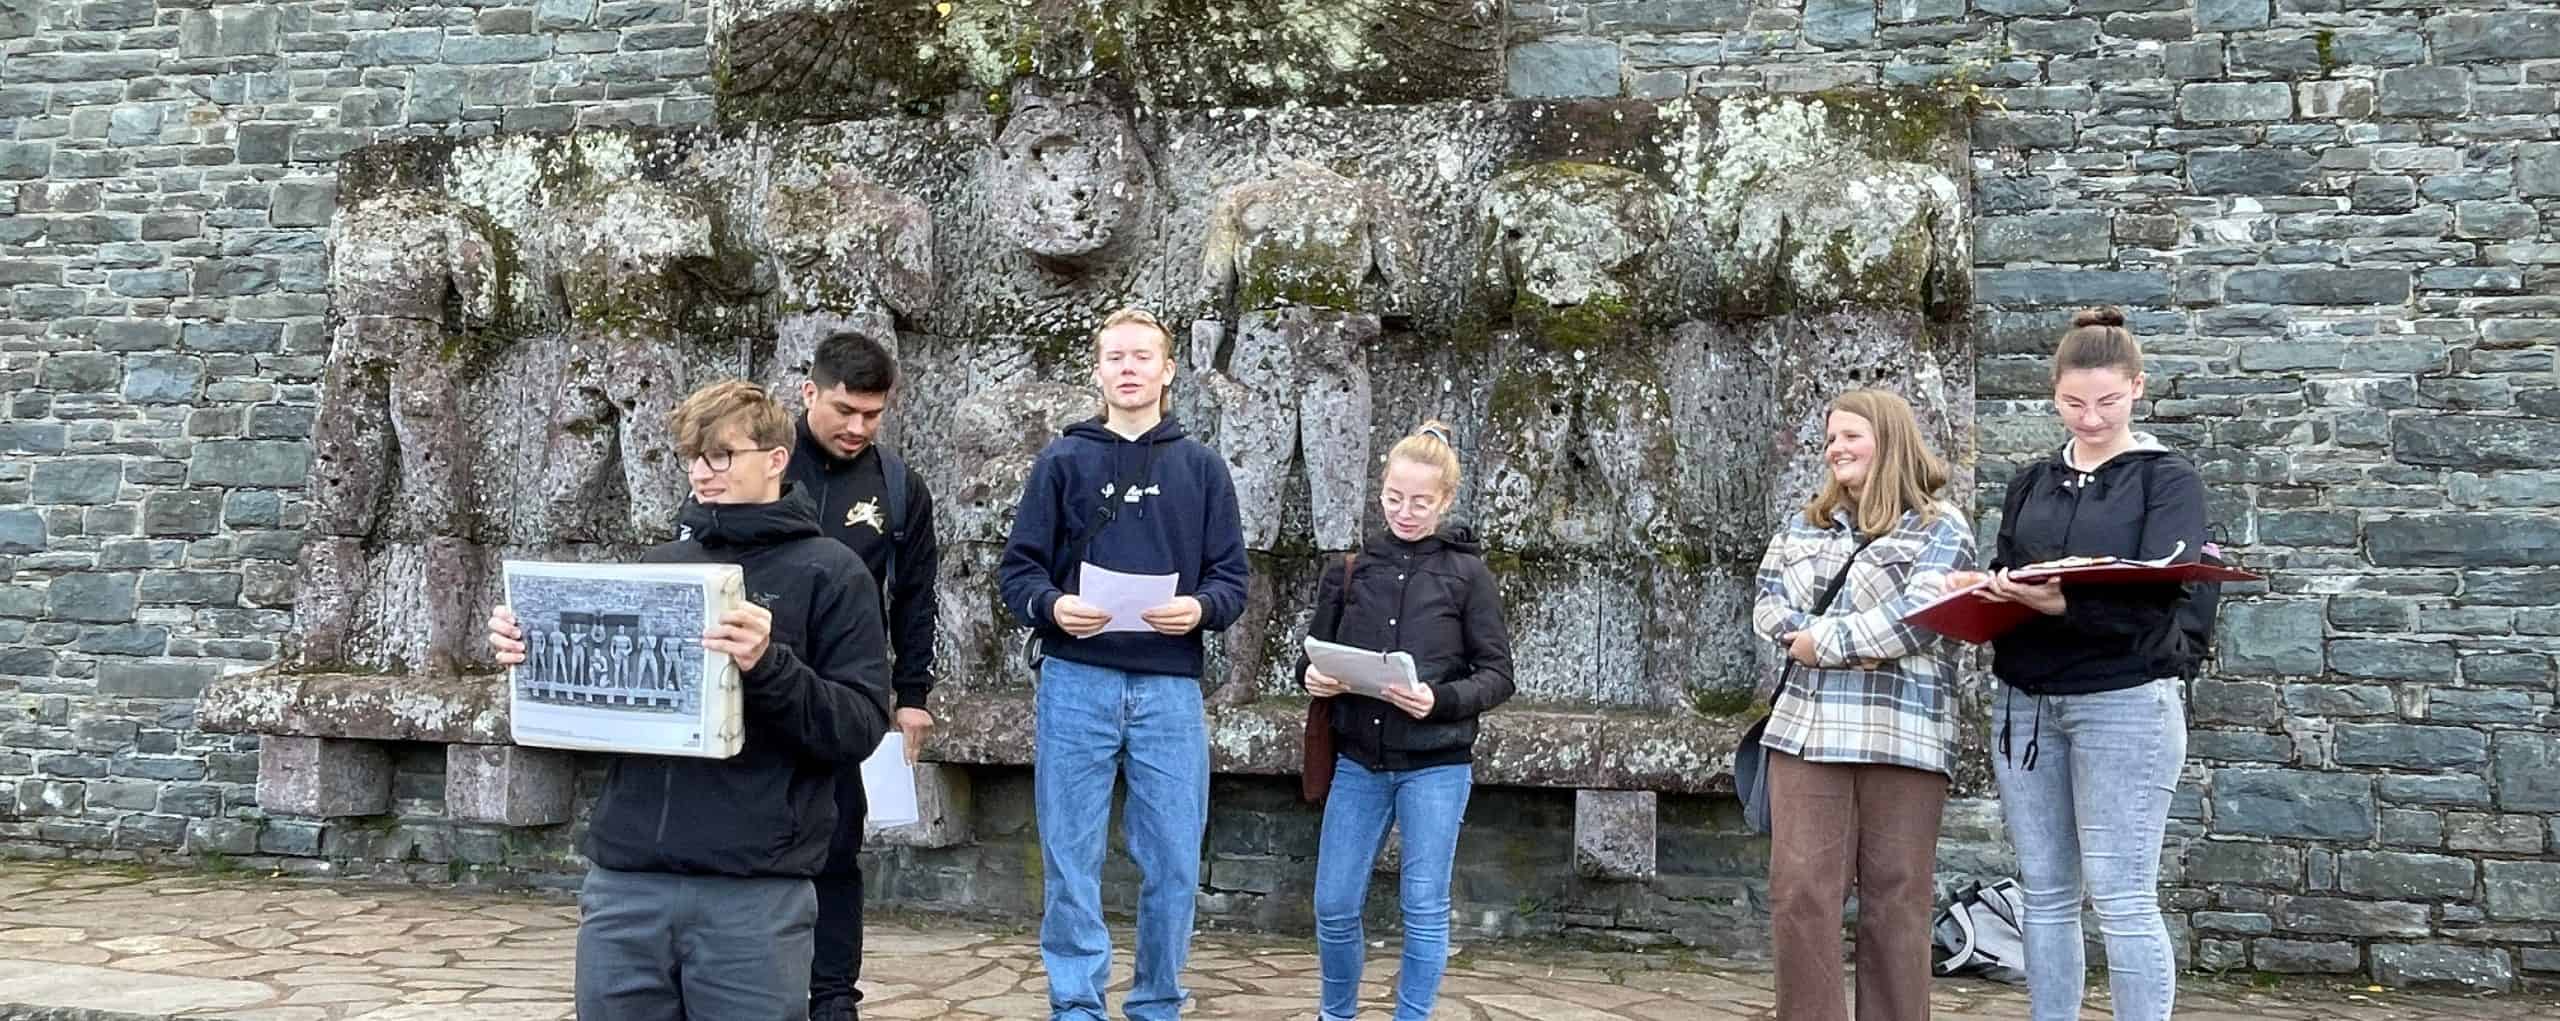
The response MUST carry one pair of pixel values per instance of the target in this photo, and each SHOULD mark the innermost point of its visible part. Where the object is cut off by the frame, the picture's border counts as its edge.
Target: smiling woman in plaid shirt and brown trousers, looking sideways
(1862, 733)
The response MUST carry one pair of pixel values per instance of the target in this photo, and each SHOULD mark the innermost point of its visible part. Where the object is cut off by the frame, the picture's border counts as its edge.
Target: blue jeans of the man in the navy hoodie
(1097, 725)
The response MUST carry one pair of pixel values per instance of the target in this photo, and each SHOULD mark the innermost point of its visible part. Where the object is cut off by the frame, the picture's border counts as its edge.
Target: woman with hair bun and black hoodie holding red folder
(2090, 761)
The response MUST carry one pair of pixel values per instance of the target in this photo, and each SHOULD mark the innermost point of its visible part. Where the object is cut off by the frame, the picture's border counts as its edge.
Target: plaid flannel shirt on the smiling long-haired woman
(1883, 692)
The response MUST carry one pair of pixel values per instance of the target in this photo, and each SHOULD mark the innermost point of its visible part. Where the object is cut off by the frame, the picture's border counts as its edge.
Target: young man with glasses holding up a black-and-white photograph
(698, 902)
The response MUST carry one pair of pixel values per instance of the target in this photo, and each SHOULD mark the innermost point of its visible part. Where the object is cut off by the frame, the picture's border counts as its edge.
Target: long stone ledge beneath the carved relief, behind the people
(1519, 746)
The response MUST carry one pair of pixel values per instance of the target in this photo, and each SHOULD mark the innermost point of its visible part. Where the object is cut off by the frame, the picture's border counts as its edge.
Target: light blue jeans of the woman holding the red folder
(2090, 820)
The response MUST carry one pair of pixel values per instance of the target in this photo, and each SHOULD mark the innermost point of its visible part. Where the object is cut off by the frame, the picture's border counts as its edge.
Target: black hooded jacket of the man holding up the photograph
(813, 705)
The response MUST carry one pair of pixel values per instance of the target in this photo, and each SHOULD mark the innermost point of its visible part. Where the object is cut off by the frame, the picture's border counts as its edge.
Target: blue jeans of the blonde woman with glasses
(1427, 805)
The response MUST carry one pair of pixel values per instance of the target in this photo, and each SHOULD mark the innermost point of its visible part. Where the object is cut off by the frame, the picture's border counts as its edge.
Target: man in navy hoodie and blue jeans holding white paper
(1133, 495)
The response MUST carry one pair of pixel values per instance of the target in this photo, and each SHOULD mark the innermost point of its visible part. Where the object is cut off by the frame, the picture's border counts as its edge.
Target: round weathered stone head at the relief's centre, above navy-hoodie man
(1069, 175)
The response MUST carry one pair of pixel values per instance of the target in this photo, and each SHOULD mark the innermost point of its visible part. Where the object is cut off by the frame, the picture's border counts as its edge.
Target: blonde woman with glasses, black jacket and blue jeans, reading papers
(1404, 759)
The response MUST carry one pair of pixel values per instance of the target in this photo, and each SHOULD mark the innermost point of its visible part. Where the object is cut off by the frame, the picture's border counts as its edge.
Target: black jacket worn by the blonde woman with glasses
(1437, 603)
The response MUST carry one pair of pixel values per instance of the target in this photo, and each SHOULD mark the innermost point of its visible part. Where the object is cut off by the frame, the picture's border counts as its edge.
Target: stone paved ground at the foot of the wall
(99, 943)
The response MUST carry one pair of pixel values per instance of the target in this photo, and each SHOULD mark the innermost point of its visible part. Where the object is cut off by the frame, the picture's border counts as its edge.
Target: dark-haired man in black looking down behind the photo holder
(879, 508)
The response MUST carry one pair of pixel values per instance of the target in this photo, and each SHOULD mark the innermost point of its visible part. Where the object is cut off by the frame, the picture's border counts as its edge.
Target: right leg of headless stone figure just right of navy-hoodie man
(1335, 423)
